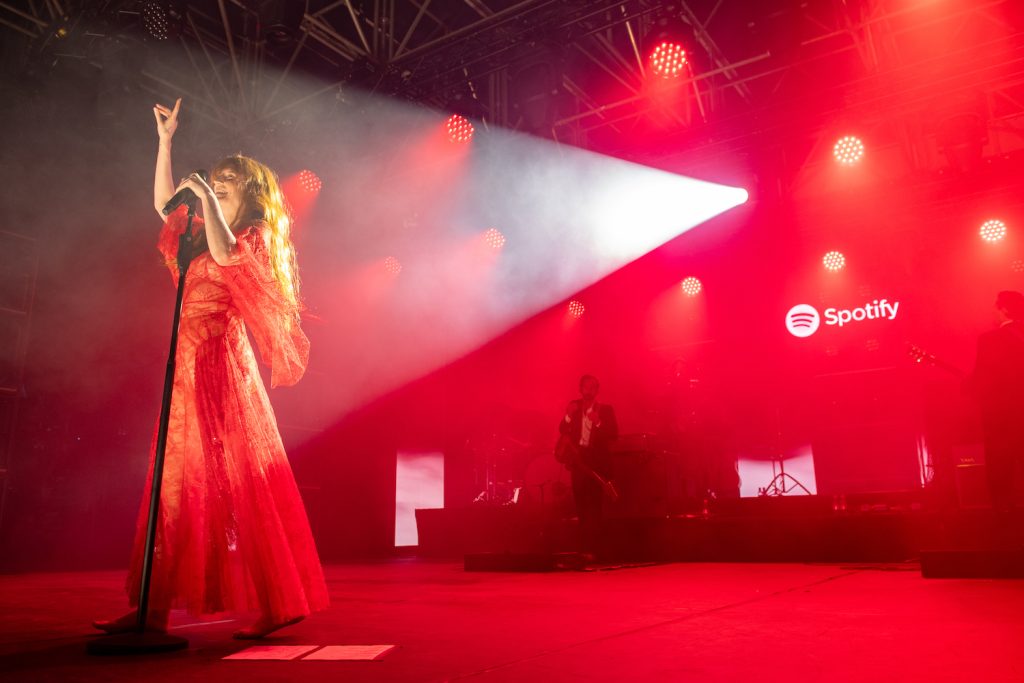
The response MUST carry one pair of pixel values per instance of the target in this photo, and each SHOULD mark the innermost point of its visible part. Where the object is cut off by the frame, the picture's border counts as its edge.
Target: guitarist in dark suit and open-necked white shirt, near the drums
(587, 433)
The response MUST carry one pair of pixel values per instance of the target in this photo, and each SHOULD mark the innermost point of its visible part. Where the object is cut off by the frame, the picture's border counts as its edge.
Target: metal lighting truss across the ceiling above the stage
(471, 56)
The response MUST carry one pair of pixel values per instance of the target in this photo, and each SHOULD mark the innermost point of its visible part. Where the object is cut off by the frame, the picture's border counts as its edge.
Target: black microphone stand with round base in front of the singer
(143, 642)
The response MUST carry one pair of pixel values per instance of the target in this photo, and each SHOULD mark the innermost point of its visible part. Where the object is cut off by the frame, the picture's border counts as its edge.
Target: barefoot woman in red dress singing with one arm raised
(233, 534)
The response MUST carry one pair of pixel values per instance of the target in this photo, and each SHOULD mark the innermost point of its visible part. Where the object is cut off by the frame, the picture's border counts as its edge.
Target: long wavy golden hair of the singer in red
(265, 201)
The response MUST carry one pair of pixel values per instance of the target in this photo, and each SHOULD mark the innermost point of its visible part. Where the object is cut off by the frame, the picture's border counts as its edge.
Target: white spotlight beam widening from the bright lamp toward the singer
(571, 219)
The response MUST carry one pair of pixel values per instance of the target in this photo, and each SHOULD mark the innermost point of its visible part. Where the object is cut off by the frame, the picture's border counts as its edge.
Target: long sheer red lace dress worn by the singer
(233, 534)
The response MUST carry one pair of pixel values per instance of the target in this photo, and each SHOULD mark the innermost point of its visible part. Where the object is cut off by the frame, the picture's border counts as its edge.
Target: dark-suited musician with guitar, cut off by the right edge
(998, 382)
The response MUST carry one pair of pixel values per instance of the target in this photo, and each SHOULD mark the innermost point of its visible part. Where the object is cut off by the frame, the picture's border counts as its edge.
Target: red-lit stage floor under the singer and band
(662, 623)
